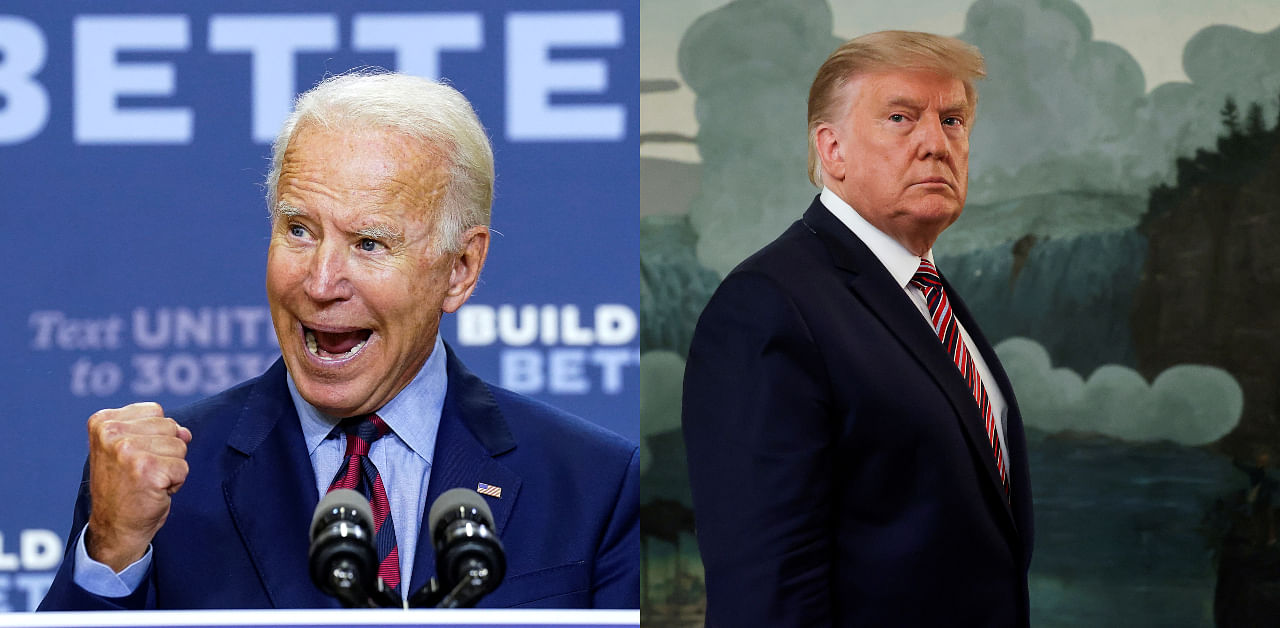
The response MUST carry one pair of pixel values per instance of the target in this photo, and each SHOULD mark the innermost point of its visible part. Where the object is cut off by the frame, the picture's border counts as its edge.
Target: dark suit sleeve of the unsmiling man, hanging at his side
(758, 434)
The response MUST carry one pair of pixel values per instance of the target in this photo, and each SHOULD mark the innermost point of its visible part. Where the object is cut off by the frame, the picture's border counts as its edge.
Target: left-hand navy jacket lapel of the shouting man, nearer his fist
(272, 494)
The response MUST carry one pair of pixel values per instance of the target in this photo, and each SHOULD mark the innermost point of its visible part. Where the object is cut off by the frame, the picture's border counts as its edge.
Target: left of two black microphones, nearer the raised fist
(342, 557)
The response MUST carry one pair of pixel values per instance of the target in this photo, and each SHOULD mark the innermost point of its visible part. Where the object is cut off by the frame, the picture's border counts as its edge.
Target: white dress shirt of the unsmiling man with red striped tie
(903, 264)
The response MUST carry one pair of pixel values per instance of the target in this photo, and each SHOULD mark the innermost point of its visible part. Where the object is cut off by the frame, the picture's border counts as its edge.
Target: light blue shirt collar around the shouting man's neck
(414, 415)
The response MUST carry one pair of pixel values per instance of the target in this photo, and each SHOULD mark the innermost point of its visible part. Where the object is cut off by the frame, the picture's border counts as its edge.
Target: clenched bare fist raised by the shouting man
(136, 462)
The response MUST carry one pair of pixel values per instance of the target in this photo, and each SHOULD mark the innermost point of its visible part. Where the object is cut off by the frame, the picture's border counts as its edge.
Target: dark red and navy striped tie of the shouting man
(360, 475)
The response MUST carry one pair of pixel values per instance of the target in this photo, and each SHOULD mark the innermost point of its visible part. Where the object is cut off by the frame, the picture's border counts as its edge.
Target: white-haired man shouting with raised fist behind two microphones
(380, 192)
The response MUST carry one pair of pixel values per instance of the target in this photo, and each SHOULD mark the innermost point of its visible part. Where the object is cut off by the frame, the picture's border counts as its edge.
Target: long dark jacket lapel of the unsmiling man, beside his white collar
(872, 285)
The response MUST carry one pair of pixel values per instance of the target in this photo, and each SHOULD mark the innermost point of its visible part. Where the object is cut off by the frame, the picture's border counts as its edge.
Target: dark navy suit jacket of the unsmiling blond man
(840, 469)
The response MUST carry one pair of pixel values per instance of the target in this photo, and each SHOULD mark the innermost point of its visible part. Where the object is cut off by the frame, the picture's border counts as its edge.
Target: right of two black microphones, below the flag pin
(469, 557)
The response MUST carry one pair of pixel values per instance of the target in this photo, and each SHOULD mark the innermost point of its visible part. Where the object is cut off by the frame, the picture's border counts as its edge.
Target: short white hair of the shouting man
(427, 111)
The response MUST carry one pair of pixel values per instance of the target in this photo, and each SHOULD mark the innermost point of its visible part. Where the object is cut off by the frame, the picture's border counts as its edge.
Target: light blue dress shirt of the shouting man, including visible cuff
(404, 459)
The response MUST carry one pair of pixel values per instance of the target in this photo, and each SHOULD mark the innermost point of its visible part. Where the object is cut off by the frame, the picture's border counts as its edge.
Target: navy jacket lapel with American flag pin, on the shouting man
(473, 433)
